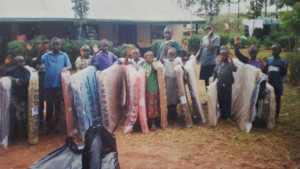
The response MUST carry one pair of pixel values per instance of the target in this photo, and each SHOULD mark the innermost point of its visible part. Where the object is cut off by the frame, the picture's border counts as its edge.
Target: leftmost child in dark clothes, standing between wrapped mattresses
(19, 76)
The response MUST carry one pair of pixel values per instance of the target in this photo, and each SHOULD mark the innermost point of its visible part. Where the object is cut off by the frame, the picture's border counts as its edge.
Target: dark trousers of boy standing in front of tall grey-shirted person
(224, 99)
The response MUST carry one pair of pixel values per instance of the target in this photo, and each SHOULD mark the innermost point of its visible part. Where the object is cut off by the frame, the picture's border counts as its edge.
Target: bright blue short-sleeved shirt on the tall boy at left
(53, 67)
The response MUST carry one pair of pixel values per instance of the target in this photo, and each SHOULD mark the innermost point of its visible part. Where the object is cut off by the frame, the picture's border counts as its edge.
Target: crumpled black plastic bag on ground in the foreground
(99, 152)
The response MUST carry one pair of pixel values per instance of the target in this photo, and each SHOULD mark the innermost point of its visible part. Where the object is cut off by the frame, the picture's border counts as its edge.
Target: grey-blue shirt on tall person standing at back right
(208, 57)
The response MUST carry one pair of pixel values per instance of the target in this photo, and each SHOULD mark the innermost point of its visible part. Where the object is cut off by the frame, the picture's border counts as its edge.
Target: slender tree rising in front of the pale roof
(80, 8)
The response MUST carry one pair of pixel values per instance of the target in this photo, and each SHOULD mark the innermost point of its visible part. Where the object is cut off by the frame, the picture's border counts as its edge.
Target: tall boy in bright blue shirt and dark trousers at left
(55, 62)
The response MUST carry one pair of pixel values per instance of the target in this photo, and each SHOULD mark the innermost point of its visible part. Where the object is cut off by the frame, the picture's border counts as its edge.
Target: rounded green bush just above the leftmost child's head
(15, 48)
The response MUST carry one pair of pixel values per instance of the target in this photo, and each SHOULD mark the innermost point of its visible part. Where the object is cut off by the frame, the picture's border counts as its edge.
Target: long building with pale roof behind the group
(138, 22)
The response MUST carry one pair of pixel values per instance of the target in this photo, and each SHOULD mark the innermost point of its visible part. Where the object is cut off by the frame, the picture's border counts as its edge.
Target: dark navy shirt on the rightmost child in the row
(276, 72)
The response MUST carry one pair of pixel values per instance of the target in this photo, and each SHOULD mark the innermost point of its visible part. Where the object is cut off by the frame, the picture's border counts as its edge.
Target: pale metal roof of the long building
(125, 11)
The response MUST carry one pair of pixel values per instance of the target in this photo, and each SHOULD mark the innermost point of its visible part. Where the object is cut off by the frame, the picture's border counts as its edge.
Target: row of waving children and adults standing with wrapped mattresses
(220, 67)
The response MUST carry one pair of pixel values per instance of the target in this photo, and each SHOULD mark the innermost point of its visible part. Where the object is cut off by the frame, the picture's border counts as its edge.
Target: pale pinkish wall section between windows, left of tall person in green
(143, 36)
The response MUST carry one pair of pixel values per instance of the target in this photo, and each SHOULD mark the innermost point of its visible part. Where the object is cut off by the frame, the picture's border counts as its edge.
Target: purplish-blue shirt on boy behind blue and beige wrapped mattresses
(103, 61)
